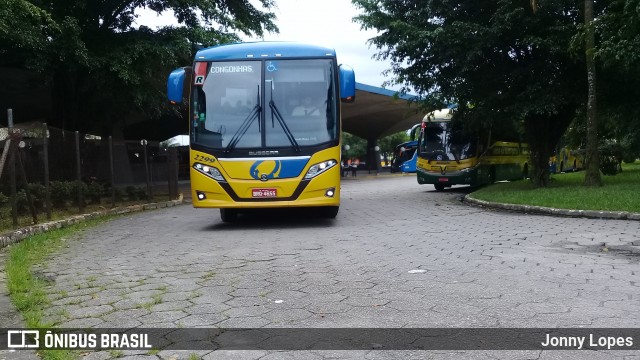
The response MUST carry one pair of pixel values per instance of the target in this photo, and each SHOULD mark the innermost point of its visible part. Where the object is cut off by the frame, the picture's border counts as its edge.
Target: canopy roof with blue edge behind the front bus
(377, 112)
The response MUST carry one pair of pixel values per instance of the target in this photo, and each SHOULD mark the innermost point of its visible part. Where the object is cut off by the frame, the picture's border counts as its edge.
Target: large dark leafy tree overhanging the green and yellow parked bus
(501, 62)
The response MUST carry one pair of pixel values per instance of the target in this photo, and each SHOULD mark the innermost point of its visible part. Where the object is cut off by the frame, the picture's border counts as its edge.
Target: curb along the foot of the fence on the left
(18, 235)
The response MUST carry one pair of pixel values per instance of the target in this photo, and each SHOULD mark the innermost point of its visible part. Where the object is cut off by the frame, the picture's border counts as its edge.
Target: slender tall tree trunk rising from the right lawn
(592, 173)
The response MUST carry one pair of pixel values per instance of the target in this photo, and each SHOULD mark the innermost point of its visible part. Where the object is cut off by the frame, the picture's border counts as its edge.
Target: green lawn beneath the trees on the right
(566, 191)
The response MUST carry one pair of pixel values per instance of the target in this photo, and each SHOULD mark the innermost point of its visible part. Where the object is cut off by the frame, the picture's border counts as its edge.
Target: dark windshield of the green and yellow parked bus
(440, 141)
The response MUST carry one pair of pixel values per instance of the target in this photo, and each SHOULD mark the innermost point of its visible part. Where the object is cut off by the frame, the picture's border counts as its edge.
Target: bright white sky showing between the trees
(319, 22)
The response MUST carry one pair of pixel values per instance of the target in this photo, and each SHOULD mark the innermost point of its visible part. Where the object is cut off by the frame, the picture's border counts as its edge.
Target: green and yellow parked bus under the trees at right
(448, 156)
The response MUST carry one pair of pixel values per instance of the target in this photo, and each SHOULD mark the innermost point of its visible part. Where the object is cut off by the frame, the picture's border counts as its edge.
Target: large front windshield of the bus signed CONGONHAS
(256, 104)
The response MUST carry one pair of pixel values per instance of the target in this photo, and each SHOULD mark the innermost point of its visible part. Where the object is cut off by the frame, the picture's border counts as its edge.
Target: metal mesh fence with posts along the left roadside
(43, 167)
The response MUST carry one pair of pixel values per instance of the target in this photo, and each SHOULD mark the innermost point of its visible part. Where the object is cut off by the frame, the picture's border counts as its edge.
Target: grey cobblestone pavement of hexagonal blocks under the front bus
(398, 255)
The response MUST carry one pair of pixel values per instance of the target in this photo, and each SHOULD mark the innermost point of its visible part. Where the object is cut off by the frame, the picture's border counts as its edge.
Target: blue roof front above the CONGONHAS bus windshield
(263, 50)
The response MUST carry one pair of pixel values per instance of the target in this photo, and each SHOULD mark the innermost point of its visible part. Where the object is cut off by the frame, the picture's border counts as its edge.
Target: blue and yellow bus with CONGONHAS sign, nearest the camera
(265, 126)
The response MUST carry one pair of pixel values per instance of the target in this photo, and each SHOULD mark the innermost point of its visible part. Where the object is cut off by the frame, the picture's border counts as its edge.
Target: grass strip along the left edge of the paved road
(29, 292)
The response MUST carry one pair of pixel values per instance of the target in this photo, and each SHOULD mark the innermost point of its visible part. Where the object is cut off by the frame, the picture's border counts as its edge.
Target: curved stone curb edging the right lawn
(530, 209)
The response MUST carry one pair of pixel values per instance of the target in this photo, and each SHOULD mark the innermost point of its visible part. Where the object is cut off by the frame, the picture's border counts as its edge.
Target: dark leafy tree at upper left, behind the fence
(104, 70)
